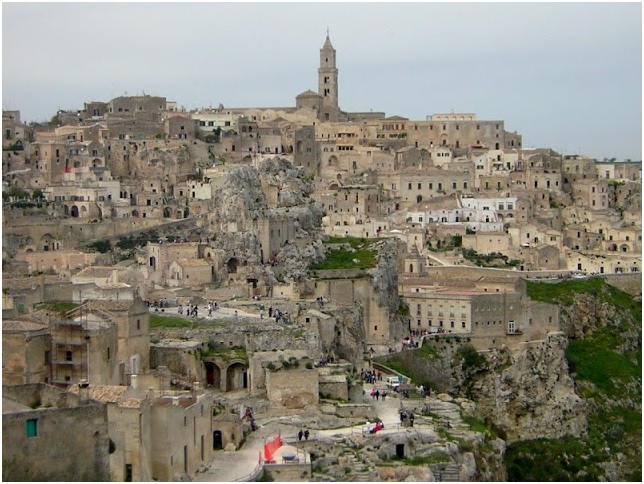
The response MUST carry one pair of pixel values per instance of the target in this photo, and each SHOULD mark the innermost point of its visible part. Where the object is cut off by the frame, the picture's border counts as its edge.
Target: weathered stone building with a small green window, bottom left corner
(47, 436)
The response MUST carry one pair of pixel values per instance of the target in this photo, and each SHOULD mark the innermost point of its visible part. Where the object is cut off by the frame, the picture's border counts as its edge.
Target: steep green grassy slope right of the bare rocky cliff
(608, 380)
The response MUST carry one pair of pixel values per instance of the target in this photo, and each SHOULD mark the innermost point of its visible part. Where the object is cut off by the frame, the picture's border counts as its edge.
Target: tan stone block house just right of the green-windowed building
(157, 434)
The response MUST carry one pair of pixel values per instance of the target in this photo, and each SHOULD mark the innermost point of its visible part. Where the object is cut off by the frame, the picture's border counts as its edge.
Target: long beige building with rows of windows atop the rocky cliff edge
(491, 306)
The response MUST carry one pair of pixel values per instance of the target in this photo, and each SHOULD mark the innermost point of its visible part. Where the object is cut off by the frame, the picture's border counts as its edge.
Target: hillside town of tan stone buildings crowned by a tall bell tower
(184, 291)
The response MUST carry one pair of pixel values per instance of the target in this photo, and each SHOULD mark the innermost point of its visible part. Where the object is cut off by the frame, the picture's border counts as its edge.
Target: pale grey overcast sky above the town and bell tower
(565, 76)
